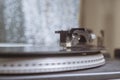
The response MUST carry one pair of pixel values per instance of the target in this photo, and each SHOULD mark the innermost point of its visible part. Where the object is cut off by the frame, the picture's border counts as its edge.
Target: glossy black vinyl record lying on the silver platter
(45, 51)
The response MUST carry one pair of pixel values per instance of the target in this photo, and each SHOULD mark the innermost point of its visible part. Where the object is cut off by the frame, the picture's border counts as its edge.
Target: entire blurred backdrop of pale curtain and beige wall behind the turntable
(34, 21)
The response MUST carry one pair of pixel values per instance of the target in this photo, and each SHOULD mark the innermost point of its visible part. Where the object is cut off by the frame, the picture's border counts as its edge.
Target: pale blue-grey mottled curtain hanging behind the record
(34, 21)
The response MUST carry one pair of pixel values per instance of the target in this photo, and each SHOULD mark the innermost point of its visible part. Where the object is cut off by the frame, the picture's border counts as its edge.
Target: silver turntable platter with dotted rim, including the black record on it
(36, 59)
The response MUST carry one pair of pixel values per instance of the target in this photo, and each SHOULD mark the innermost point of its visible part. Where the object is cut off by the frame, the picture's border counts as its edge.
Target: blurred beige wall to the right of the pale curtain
(103, 15)
